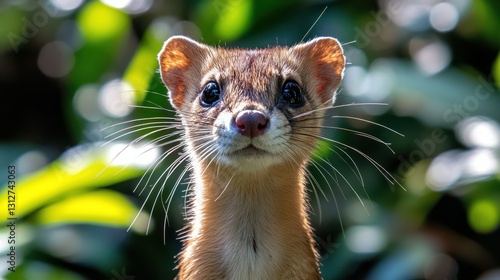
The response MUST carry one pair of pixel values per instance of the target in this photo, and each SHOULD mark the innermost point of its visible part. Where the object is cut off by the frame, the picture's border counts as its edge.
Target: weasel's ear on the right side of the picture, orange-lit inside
(324, 60)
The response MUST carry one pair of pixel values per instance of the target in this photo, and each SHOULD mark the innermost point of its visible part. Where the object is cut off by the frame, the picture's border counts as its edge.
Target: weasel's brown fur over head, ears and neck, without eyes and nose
(249, 220)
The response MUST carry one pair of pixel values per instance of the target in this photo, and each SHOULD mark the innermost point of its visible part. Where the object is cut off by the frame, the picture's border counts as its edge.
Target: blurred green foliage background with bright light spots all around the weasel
(435, 63)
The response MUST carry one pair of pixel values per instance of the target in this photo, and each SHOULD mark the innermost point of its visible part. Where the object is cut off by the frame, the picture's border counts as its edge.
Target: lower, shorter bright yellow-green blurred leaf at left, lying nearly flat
(105, 207)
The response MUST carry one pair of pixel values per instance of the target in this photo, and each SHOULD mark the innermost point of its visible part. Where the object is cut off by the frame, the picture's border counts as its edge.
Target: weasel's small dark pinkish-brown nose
(251, 123)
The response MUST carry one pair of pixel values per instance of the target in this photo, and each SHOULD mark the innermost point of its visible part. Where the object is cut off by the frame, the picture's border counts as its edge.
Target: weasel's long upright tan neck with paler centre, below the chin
(249, 226)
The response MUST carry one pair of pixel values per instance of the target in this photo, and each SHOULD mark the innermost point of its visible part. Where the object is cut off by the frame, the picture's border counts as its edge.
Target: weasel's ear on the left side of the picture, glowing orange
(181, 60)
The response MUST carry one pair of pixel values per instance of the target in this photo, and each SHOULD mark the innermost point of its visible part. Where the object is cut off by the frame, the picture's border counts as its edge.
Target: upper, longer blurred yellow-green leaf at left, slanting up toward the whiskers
(79, 169)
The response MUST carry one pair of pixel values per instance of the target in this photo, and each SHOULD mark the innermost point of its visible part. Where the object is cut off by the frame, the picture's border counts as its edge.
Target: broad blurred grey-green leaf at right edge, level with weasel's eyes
(440, 100)
